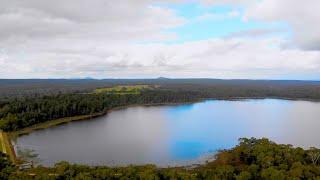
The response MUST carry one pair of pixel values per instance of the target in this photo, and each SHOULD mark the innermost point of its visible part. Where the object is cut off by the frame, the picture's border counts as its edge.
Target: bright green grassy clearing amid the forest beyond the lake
(130, 89)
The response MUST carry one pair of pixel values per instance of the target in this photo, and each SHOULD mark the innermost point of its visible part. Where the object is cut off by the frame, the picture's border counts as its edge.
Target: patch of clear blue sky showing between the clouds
(207, 22)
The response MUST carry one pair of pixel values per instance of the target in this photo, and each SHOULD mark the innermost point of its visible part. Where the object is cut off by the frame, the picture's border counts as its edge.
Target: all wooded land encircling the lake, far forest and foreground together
(41, 104)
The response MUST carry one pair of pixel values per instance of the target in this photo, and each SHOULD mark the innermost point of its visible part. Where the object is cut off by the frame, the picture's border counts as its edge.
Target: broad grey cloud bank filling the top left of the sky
(119, 20)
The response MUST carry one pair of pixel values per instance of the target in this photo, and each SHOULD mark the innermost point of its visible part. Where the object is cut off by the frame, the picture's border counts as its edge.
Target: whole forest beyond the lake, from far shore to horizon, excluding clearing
(33, 104)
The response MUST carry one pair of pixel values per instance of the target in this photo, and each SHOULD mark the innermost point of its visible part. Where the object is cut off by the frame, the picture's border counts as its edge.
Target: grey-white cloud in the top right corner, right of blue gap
(302, 16)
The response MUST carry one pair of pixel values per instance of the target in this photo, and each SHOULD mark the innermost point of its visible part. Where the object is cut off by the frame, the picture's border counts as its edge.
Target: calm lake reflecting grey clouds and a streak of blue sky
(175, 135)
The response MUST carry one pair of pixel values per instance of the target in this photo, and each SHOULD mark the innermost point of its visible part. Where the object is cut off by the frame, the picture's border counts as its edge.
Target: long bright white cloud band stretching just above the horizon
(231, 58)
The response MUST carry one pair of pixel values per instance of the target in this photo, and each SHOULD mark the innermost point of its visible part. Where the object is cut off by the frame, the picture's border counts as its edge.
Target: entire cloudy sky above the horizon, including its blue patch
(226, 39)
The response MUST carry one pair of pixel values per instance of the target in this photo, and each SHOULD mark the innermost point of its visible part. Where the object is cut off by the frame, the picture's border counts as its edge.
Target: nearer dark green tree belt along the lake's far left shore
(24, 112)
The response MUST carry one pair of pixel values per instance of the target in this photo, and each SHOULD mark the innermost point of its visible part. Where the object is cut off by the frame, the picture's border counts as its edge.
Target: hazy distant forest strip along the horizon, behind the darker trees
(212, 87)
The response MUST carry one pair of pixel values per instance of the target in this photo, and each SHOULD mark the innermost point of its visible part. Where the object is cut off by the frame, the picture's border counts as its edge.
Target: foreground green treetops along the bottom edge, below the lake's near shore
(251, 159)
